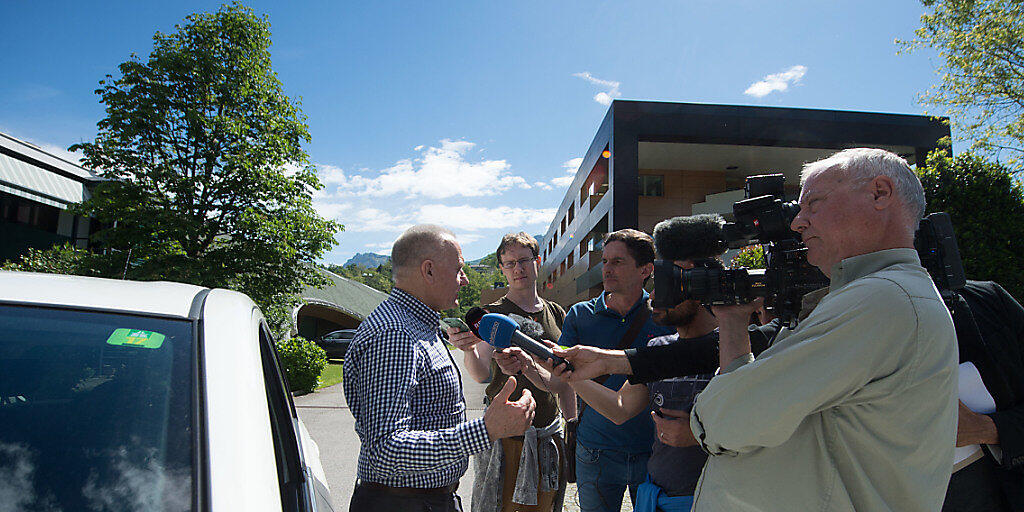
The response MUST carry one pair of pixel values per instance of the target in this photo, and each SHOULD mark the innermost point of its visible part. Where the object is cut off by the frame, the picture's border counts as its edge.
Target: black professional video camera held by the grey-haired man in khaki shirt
(762, 218)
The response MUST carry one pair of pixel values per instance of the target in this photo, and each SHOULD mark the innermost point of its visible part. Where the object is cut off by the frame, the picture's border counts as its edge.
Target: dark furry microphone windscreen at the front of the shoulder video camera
(694, 237)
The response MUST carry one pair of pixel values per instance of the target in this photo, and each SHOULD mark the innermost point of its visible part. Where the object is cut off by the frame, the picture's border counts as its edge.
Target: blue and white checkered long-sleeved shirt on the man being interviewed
(406, 394)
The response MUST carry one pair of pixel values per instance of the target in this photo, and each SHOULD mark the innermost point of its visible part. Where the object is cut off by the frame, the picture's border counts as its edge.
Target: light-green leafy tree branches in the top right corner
(982, 53)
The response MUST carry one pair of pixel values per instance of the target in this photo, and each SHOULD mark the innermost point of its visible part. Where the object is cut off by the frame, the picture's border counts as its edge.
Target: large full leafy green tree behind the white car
(207, 182)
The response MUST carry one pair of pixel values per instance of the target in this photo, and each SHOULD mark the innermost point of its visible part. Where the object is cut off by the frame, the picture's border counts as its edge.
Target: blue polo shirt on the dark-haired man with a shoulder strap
(592, 323)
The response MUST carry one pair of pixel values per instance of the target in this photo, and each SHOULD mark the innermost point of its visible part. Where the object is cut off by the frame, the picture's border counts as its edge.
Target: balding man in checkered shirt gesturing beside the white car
(406, 393)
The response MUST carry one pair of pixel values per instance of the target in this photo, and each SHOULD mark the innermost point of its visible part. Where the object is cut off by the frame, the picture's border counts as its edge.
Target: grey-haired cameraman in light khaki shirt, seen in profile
(856, 408)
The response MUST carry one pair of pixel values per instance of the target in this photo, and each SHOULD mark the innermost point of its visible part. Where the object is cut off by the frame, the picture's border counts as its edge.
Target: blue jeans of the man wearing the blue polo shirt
(604, 476)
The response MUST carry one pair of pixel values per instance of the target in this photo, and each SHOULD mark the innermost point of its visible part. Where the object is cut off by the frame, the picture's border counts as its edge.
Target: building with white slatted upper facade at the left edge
(36, 190)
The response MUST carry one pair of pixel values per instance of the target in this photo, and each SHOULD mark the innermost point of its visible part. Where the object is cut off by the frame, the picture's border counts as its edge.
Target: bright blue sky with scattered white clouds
(468, 114)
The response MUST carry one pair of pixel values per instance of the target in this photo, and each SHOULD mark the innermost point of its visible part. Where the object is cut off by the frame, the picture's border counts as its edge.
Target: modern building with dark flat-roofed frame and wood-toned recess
(651, 161)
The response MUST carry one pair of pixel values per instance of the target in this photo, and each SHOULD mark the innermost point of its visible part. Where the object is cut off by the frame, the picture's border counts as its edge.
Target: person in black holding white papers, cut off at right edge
(990, 471)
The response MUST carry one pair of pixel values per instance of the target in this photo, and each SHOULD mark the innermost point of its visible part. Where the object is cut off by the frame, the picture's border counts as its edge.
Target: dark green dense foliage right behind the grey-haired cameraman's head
(988, 210)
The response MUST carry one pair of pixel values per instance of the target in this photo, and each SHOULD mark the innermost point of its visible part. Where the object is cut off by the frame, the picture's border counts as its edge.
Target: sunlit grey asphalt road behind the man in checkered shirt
(332, 426)
